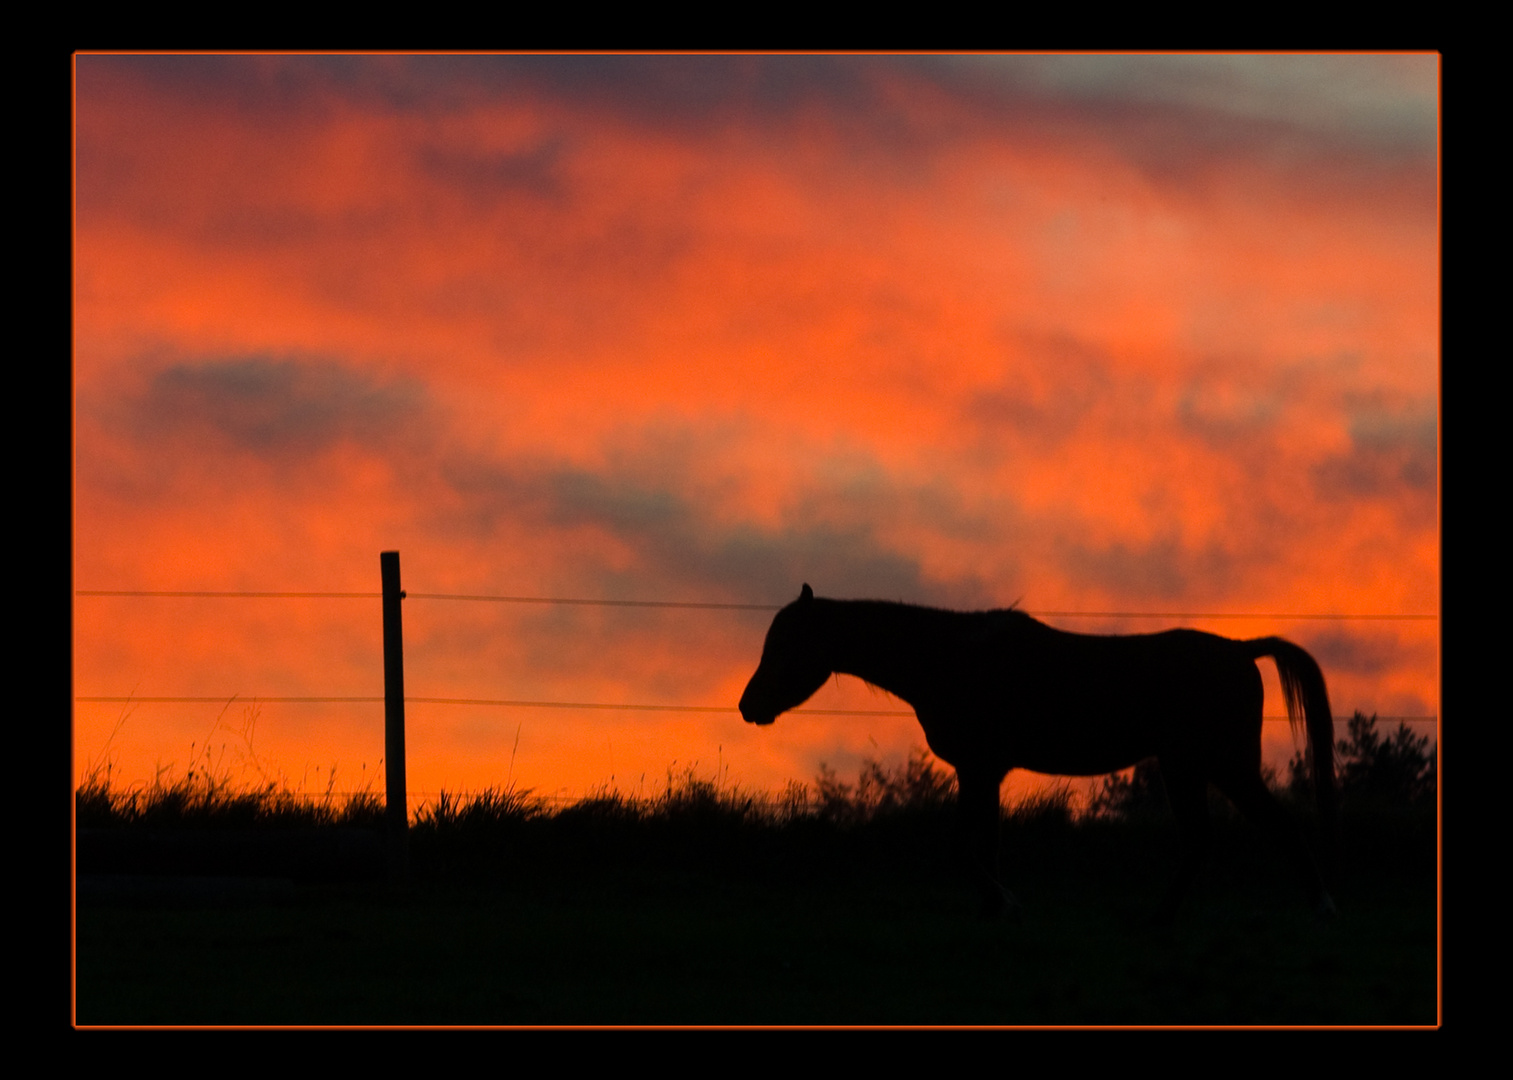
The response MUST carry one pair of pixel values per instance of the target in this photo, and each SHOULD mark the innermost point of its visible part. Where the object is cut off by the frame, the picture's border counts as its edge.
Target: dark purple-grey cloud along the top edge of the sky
(1172, 116)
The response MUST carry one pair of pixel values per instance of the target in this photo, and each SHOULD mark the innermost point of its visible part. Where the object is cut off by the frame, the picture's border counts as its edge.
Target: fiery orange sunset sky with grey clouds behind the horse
(1086, 334)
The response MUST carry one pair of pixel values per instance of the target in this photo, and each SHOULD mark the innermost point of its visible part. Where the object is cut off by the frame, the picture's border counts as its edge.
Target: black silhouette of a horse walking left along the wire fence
(999, 691)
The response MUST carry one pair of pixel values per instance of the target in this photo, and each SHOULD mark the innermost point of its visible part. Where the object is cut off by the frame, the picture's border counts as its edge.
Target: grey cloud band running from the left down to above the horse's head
(285, 414)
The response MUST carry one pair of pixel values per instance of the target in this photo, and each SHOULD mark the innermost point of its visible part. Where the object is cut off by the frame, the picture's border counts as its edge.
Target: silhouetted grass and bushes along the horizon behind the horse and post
(1375, 772)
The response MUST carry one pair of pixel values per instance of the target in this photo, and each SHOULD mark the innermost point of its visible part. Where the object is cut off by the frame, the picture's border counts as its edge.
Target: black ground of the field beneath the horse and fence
(704, 911)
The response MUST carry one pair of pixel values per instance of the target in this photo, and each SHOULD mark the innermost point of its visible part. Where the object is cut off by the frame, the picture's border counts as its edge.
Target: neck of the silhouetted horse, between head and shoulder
(878, 642)
